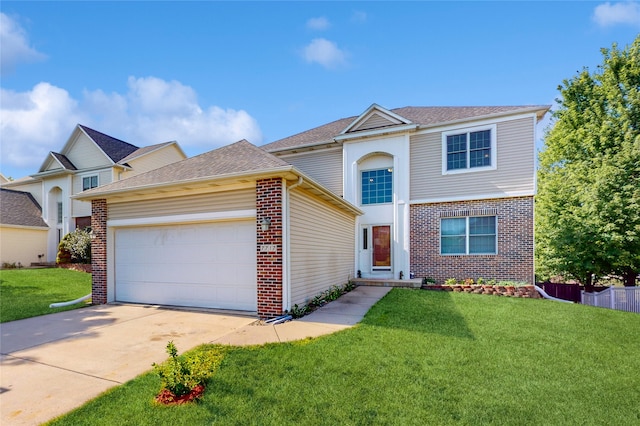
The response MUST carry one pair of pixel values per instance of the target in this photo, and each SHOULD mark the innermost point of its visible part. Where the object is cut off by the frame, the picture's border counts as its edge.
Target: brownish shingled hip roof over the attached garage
(237, 158)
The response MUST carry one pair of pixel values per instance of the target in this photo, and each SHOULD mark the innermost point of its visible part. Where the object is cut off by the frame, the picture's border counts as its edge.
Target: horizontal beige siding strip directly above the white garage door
(244, 199)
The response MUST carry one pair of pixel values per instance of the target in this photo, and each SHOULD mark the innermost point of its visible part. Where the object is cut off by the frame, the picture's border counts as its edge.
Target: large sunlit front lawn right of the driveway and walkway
(418, 358)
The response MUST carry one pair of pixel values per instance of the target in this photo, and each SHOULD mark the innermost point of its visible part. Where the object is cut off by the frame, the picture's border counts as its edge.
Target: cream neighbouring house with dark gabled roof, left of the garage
(88, 159)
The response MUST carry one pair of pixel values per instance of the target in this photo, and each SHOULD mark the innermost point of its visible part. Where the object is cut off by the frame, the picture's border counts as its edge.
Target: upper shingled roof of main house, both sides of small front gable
(422, 116)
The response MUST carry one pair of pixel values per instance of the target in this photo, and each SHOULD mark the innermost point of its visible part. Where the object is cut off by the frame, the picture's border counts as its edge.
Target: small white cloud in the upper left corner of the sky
(15, 46)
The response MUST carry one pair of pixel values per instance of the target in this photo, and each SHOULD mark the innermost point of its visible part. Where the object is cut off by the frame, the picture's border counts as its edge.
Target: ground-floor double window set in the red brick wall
(468, 235)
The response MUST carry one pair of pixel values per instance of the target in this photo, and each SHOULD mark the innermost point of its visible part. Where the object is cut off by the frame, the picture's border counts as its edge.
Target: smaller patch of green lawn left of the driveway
(26, 293)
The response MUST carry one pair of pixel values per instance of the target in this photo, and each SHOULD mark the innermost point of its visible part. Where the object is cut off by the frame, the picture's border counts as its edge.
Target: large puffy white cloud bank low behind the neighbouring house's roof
(151, 111)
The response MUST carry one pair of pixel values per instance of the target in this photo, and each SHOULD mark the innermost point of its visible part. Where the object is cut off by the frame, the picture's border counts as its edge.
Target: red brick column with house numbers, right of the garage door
(269, 248)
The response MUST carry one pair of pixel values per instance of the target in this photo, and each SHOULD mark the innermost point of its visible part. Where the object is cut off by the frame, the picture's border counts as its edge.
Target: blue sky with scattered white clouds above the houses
(209, 73)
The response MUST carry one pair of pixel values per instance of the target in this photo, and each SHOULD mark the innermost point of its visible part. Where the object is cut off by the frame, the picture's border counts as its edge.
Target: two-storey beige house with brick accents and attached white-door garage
(418, 191)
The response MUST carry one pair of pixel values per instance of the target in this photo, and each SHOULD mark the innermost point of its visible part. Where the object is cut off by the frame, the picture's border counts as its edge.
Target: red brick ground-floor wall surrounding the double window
(514, 260)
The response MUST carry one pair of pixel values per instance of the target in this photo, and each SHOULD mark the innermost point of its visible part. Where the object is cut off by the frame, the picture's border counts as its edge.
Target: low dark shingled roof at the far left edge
(19, 208)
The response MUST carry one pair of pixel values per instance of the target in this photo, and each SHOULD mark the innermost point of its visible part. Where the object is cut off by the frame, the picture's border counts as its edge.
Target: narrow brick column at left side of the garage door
(99, 252)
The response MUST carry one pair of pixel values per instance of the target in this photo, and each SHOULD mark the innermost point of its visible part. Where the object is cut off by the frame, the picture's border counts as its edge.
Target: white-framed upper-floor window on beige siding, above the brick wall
(468, 150)
